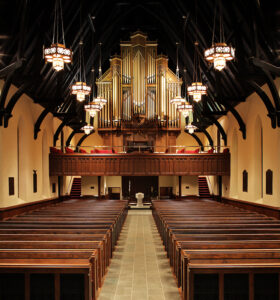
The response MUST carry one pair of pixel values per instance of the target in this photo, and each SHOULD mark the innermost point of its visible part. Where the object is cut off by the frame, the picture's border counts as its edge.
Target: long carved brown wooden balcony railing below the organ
(139, 164)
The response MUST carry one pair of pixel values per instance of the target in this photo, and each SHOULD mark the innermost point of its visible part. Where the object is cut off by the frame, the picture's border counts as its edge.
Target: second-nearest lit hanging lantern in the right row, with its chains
(197, 89)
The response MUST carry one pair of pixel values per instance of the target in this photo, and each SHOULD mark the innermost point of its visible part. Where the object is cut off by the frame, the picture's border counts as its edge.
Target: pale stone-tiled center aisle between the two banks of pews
(139, 269)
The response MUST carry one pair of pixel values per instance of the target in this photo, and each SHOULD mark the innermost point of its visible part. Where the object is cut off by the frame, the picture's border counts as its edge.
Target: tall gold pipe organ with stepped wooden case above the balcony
(138, 86)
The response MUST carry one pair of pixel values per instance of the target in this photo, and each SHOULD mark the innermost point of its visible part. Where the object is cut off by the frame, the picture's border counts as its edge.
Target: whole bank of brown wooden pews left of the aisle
(58, 234)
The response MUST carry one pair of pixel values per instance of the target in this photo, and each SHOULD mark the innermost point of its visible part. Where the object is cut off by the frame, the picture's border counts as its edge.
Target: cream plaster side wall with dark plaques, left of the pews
(20, 154)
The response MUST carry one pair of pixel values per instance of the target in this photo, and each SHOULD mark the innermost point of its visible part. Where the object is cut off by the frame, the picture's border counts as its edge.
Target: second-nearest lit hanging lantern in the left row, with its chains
(80, 88)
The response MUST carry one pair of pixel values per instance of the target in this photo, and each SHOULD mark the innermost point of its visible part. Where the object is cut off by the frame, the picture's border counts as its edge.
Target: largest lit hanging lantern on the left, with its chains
(57, 53)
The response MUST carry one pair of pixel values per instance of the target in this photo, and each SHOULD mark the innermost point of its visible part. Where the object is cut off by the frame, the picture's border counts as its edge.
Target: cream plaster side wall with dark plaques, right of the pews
(245, 154)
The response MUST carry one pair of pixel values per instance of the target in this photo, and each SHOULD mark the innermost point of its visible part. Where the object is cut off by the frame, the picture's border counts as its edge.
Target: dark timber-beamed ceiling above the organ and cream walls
(252, 27)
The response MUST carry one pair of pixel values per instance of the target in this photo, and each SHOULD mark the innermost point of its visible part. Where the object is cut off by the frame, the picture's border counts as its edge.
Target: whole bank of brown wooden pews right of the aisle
(188, 226)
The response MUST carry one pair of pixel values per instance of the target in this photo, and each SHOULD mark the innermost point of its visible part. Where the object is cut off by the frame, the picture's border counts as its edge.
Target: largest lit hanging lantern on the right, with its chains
(219, 53)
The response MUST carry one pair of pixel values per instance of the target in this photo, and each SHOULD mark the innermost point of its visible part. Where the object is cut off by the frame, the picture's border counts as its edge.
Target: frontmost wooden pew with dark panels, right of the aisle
(219, 264)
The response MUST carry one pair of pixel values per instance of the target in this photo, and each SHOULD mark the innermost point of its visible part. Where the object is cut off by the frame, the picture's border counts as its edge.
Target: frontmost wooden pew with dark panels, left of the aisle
(31, 264)
